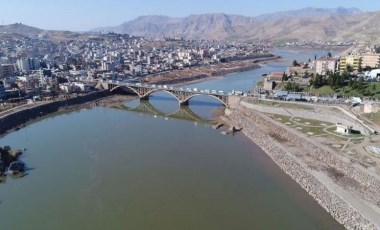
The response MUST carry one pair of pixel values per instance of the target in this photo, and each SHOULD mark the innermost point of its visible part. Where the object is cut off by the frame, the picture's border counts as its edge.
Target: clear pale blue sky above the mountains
(80, 15)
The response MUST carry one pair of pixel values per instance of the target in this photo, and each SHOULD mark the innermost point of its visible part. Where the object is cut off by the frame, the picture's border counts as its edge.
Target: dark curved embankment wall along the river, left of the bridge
(15, 119)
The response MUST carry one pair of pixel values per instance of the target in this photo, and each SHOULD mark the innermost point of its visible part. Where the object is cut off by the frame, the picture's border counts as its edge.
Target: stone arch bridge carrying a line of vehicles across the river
(182, 95)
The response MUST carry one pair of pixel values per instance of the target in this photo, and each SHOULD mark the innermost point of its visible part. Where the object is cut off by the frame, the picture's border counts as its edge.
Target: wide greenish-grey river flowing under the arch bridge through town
(105, 168)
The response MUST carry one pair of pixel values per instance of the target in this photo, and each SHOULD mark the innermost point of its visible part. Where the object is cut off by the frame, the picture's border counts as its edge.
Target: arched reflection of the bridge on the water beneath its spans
(181, 112)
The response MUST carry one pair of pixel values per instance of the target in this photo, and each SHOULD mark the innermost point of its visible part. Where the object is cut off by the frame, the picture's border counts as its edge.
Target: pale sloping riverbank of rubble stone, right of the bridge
(348, 193)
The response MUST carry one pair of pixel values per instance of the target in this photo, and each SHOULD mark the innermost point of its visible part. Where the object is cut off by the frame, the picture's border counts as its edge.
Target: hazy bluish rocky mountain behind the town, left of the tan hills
(222, 26)
